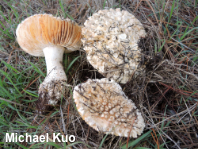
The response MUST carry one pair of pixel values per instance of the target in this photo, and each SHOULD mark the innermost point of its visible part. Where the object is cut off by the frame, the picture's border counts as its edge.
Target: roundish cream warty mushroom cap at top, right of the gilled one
(110, 39)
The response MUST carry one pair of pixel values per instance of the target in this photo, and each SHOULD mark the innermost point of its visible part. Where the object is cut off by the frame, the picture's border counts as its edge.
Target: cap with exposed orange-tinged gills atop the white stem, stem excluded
(43, 30)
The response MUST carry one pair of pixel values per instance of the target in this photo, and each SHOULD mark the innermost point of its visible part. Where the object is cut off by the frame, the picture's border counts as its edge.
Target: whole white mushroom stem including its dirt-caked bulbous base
(53, 87)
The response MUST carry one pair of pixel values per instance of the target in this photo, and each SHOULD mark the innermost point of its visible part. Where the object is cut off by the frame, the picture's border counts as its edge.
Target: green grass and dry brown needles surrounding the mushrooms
(167, 96)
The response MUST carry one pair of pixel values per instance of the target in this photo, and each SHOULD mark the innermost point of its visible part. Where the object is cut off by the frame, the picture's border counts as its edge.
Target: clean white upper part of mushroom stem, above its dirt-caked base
(54, 58)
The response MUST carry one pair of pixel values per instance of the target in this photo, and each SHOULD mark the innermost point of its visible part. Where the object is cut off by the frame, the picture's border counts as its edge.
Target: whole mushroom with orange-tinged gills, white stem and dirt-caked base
(48, 36)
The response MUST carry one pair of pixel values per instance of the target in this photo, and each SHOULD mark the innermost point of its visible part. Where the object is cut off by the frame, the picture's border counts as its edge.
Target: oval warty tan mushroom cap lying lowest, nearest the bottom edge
(105, 107)
